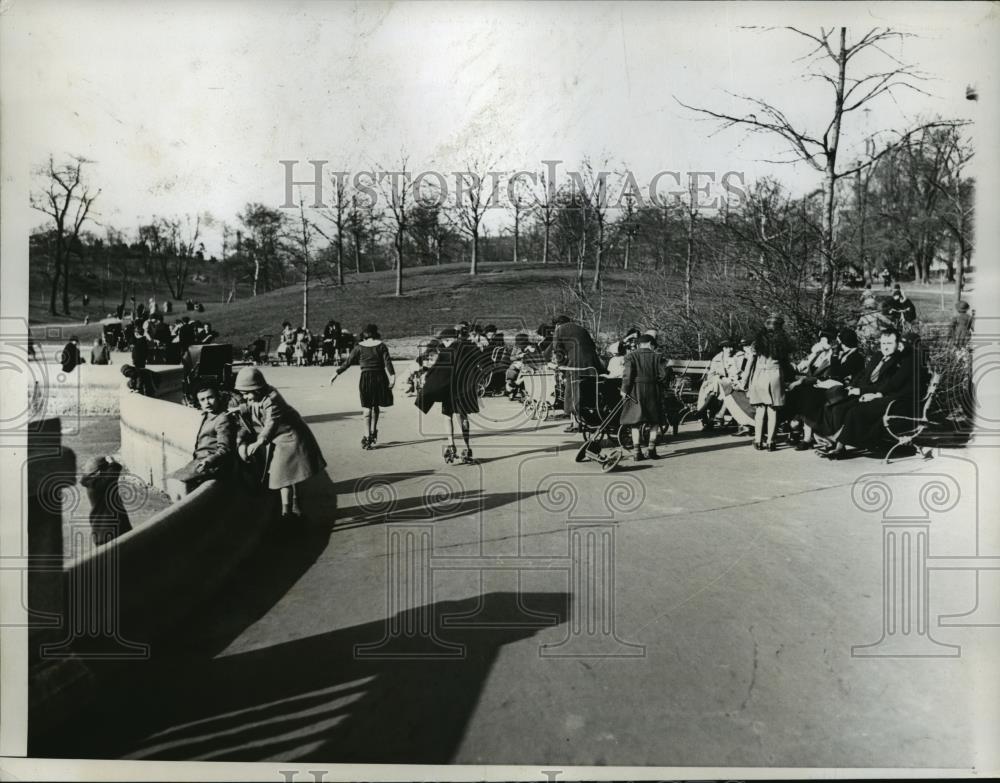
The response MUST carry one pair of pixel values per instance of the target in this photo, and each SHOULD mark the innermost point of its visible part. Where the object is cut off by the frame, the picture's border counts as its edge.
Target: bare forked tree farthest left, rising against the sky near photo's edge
(66, 199)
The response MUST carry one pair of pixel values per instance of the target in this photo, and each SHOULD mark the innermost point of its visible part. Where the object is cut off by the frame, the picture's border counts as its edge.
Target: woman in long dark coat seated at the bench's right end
(856, 421)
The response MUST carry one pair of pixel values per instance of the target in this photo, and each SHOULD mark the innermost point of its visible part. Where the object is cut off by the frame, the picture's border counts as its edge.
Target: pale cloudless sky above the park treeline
(185, 107)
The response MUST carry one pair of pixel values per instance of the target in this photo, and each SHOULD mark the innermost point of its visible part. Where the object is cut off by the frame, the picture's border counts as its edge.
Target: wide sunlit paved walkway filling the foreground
(742, 580)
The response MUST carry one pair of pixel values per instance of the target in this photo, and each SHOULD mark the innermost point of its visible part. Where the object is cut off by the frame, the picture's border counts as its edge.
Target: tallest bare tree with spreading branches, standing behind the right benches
(833, 60)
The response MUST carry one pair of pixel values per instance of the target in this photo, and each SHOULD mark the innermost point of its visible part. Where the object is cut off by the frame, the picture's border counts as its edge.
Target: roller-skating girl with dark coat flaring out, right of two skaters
(452, 381)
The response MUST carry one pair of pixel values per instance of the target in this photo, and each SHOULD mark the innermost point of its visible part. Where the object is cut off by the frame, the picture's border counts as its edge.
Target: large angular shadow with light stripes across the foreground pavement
(313, 698)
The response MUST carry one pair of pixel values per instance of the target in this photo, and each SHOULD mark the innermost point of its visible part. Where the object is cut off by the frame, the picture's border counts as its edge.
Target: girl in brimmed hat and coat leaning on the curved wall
(296, 455)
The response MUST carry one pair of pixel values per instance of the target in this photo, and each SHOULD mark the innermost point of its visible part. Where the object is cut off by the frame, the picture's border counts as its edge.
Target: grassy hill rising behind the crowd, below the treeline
(515, 298)
